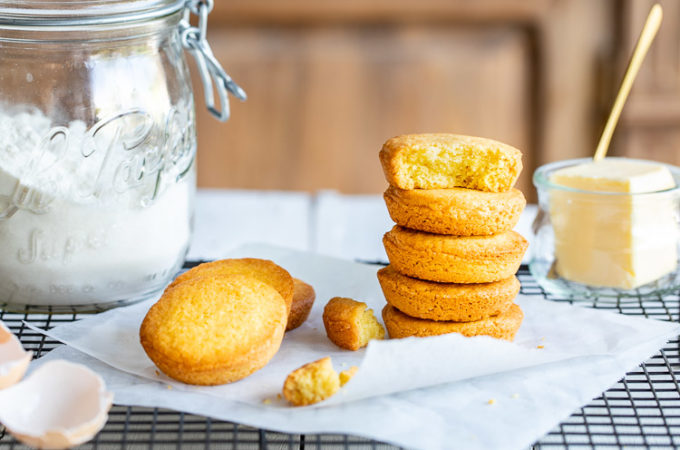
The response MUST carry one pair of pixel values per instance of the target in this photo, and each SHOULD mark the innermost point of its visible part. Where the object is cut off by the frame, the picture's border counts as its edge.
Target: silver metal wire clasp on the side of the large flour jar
(194, 39)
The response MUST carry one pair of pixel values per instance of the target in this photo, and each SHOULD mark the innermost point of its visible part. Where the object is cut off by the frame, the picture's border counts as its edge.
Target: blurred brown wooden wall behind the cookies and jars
(329, 81)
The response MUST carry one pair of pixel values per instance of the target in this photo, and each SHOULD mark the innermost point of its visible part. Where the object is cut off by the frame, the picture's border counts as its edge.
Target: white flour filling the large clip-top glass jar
(91, 216)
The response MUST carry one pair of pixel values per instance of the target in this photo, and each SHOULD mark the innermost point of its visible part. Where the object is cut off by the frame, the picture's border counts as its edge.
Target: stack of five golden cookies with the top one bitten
(453, 254)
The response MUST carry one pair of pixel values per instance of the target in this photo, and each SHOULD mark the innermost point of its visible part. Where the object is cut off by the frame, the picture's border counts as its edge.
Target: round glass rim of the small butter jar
(541, 177)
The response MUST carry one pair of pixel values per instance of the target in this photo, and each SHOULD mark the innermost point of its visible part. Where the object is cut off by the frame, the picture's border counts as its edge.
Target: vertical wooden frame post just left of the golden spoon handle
(575, 44)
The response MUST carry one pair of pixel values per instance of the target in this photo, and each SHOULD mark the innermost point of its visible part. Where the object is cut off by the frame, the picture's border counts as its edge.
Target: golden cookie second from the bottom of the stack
(447, 301)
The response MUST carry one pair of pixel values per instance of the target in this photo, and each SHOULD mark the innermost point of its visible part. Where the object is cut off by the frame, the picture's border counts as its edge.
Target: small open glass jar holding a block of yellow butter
(605, 244)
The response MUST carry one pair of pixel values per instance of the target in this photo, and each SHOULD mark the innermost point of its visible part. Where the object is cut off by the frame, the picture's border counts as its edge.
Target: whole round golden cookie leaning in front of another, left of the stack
(214, 330)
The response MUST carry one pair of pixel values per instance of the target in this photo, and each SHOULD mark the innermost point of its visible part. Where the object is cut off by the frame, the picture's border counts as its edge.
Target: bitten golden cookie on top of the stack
(442, 161)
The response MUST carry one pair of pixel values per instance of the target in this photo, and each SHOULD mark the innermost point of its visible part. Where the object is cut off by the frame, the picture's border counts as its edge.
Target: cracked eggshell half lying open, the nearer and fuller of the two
(60, 405)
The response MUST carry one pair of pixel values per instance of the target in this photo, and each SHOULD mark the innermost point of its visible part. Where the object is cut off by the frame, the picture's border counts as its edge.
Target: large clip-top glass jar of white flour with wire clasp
(97, 146)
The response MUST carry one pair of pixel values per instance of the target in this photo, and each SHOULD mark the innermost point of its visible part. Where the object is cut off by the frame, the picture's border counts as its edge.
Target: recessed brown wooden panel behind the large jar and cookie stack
(323, 99)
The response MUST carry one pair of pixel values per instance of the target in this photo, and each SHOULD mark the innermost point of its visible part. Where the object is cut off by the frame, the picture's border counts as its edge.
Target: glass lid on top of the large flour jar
(83, 12)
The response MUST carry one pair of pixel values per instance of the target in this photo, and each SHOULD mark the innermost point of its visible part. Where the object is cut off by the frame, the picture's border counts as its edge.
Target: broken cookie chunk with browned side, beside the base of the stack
(349, 324)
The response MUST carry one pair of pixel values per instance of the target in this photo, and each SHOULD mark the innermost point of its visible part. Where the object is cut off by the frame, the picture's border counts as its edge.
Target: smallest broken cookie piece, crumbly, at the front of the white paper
(311, 383)
